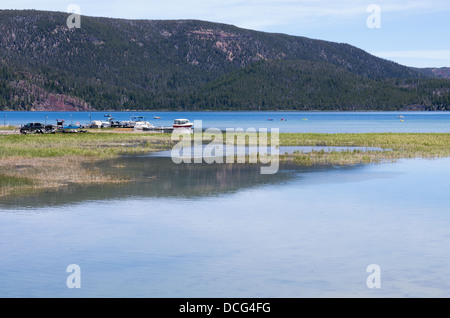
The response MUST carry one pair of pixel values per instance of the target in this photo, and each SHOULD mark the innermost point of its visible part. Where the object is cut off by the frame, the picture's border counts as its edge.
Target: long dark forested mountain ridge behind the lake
(120, 64)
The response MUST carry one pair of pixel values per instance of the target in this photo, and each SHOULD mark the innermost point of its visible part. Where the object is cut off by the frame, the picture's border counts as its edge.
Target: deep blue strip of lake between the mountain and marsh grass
(320, 122)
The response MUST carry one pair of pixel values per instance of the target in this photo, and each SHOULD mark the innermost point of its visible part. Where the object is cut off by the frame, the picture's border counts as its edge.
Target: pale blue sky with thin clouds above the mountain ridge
(412, 33)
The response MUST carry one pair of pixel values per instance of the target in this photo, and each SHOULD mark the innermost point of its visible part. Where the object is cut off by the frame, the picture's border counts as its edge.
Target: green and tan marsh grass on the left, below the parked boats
(32, 163)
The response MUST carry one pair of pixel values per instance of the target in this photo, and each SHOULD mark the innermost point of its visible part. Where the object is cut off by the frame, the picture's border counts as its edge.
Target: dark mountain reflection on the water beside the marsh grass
(157, 177)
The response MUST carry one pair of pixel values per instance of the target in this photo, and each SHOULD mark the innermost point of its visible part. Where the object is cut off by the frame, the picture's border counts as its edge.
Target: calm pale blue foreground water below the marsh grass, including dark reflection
(198, 230)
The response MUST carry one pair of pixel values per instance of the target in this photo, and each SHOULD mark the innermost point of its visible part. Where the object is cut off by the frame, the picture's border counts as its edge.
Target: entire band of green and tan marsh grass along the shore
(34, 163)
